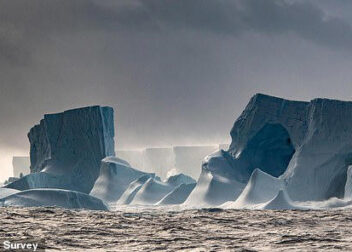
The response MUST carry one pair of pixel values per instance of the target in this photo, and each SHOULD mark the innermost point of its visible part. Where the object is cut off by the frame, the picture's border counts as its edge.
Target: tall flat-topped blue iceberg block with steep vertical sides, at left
(70, 145)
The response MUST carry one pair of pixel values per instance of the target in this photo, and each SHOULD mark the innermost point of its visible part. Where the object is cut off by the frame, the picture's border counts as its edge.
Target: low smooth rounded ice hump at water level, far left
(53, 198)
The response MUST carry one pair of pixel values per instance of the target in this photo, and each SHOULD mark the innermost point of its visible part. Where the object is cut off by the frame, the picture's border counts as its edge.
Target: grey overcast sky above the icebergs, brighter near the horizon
(175, 71)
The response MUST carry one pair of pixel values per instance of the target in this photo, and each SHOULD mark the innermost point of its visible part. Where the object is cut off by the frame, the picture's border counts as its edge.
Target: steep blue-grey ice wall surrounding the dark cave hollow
(320, 134)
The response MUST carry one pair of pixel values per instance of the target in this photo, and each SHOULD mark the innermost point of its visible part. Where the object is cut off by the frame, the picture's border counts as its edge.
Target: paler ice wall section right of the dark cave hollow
(318, 169)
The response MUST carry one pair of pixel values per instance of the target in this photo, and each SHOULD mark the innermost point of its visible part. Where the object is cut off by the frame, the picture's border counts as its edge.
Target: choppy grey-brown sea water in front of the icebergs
(187, 230)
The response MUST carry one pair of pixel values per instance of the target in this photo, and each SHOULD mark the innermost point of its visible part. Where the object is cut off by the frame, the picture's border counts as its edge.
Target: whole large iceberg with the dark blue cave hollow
(306, 146)
